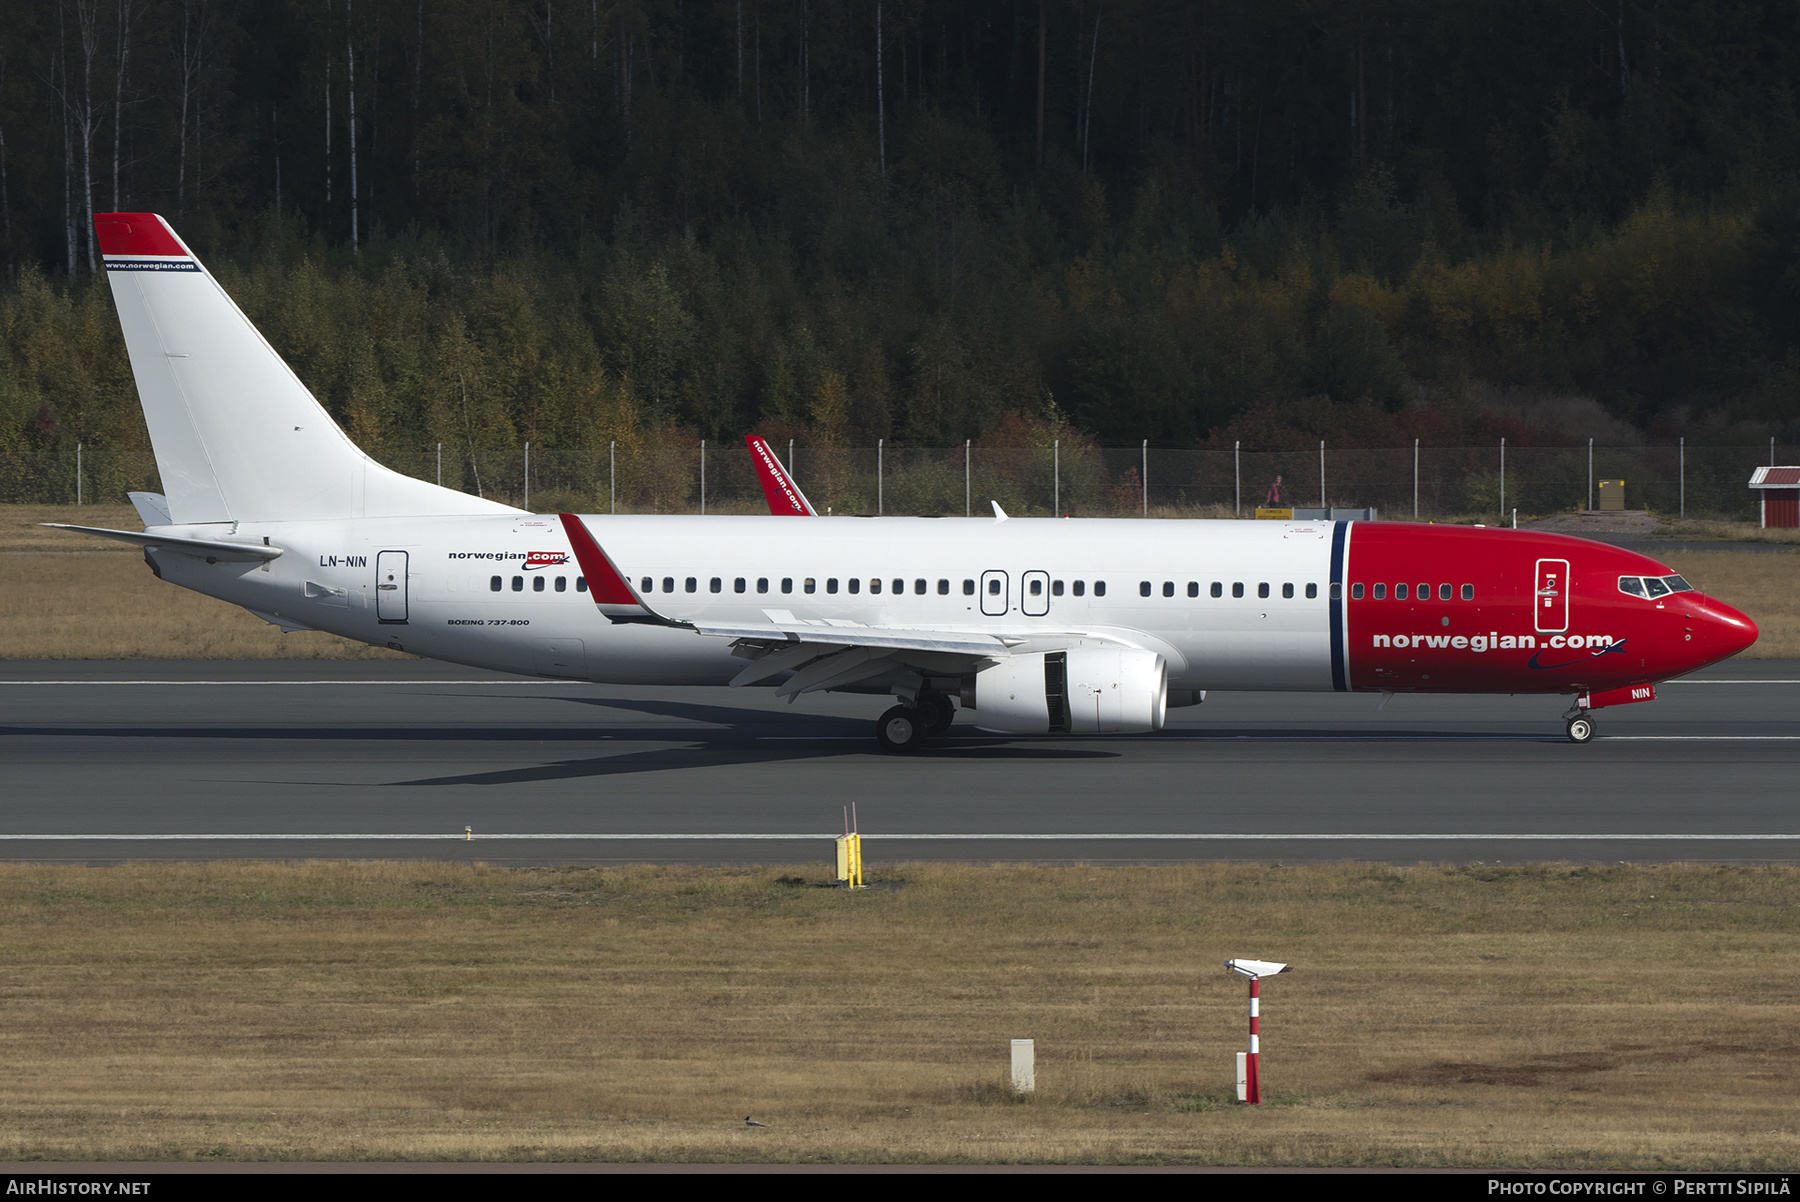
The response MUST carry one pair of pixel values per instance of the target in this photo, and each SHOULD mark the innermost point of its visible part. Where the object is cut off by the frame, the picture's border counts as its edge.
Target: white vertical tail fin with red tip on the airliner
(237, 433)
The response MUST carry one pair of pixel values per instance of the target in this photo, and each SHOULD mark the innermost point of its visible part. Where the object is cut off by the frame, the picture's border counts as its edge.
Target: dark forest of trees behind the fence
(575, 222)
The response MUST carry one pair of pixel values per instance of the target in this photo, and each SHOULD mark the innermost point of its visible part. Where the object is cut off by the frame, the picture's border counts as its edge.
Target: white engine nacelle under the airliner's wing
(1075, 692)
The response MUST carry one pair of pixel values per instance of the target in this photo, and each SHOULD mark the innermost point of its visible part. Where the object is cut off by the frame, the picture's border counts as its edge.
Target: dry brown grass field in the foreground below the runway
(1534, 1018)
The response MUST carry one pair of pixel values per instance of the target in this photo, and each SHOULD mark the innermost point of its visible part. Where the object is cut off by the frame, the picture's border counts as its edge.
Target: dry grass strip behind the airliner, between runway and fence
(73, 597)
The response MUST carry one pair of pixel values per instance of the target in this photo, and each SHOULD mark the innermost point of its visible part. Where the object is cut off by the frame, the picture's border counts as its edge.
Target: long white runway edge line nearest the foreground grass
(904, 838)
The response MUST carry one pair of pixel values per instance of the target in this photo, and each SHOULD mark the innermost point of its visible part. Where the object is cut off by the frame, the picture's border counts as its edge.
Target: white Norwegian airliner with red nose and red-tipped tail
(1039, 627)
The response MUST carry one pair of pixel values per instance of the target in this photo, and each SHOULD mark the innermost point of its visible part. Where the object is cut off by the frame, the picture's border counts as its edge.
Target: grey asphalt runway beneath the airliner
(105, 762)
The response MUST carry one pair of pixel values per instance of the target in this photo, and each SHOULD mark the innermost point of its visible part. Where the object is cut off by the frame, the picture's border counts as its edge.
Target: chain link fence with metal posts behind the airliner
(1426, 483)
